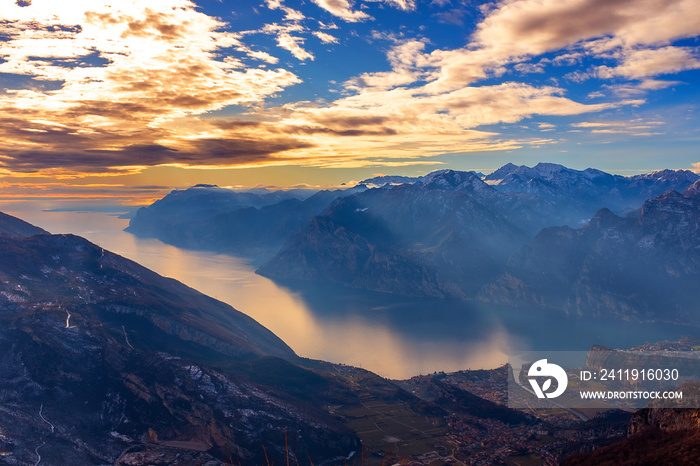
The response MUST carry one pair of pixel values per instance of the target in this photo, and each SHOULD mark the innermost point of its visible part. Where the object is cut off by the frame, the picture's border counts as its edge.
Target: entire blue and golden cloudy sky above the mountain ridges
(121, 101)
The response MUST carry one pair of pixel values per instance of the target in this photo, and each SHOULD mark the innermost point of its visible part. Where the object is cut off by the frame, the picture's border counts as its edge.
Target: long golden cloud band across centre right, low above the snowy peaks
(406, 122)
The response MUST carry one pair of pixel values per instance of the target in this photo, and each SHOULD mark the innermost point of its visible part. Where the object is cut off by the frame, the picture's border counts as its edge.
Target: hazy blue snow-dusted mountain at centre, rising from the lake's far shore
(437, 238)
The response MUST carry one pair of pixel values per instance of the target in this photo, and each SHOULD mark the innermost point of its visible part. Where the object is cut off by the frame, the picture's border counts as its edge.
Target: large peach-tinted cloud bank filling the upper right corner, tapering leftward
(515, 30)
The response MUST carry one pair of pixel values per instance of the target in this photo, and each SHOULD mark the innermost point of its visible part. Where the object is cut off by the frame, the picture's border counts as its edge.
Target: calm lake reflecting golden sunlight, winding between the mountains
(393, 336)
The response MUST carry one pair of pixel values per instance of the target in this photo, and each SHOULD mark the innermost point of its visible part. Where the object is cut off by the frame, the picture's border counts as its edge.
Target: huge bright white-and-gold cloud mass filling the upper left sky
(127, 78)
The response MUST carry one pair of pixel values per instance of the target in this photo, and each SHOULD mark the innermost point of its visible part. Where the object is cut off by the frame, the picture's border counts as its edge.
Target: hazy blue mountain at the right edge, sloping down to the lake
(645, 265)
